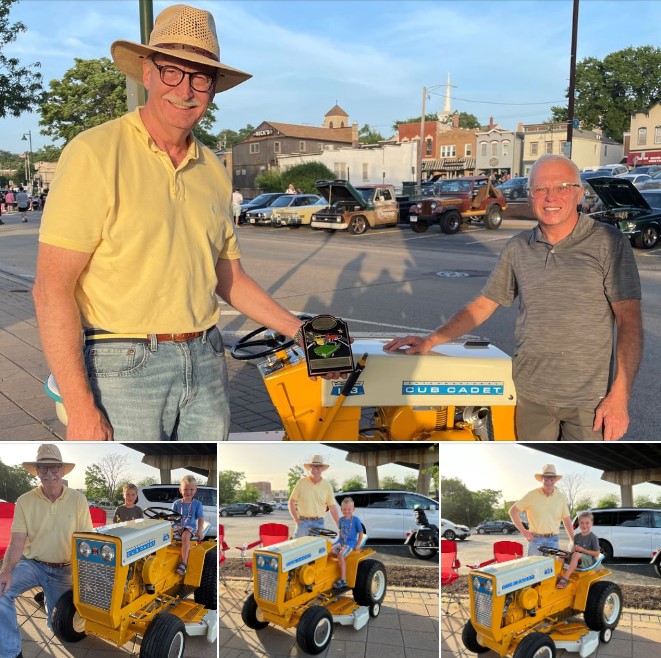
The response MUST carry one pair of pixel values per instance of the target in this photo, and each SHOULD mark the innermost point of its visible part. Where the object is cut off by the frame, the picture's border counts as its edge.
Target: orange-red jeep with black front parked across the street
(454, 201)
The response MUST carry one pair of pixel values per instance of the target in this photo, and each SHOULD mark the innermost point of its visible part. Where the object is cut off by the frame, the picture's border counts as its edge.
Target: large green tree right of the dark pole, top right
(609, 91)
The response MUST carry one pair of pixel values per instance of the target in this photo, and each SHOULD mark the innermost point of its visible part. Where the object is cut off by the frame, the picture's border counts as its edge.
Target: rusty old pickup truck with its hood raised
(355, 209)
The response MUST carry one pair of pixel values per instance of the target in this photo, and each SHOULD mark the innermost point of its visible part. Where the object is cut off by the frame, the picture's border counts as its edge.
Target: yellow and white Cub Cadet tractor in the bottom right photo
(517, 609)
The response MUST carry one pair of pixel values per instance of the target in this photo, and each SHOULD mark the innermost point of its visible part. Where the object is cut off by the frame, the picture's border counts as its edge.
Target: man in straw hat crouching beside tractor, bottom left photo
(39, 553)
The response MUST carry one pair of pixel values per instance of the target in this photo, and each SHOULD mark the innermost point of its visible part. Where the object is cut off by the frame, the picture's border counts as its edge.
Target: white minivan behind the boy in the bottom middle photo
(389, 513)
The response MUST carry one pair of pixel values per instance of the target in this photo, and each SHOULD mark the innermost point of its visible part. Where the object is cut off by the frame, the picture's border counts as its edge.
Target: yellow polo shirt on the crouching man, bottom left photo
(50, 526)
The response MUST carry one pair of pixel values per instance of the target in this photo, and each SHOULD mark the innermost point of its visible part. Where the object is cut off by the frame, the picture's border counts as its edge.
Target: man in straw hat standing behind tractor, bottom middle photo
(311, 497)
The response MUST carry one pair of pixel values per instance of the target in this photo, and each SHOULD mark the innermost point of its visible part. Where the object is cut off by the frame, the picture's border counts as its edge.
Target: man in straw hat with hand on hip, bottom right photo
(545, 507)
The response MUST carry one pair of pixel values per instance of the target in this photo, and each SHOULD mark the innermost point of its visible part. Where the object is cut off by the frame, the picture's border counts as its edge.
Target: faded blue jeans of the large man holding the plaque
(162, 391)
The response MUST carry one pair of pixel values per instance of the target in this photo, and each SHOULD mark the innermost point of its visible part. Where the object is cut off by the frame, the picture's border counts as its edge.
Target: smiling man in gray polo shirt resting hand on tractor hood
(575, 279)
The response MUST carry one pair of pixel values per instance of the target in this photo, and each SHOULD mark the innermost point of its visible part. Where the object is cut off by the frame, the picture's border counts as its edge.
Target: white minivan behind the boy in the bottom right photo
(627, 531)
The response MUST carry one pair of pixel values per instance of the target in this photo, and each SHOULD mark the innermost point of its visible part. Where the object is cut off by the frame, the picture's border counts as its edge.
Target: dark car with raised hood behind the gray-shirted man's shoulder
(616, 201)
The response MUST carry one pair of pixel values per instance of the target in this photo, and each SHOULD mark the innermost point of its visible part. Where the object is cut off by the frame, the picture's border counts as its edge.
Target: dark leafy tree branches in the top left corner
(20, 86)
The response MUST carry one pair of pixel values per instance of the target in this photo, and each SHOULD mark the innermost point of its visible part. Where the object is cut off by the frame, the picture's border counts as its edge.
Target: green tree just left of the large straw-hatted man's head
(89, 94)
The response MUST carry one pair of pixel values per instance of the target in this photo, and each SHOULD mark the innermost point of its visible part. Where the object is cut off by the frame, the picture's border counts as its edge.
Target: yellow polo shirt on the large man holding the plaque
(154, 232)
